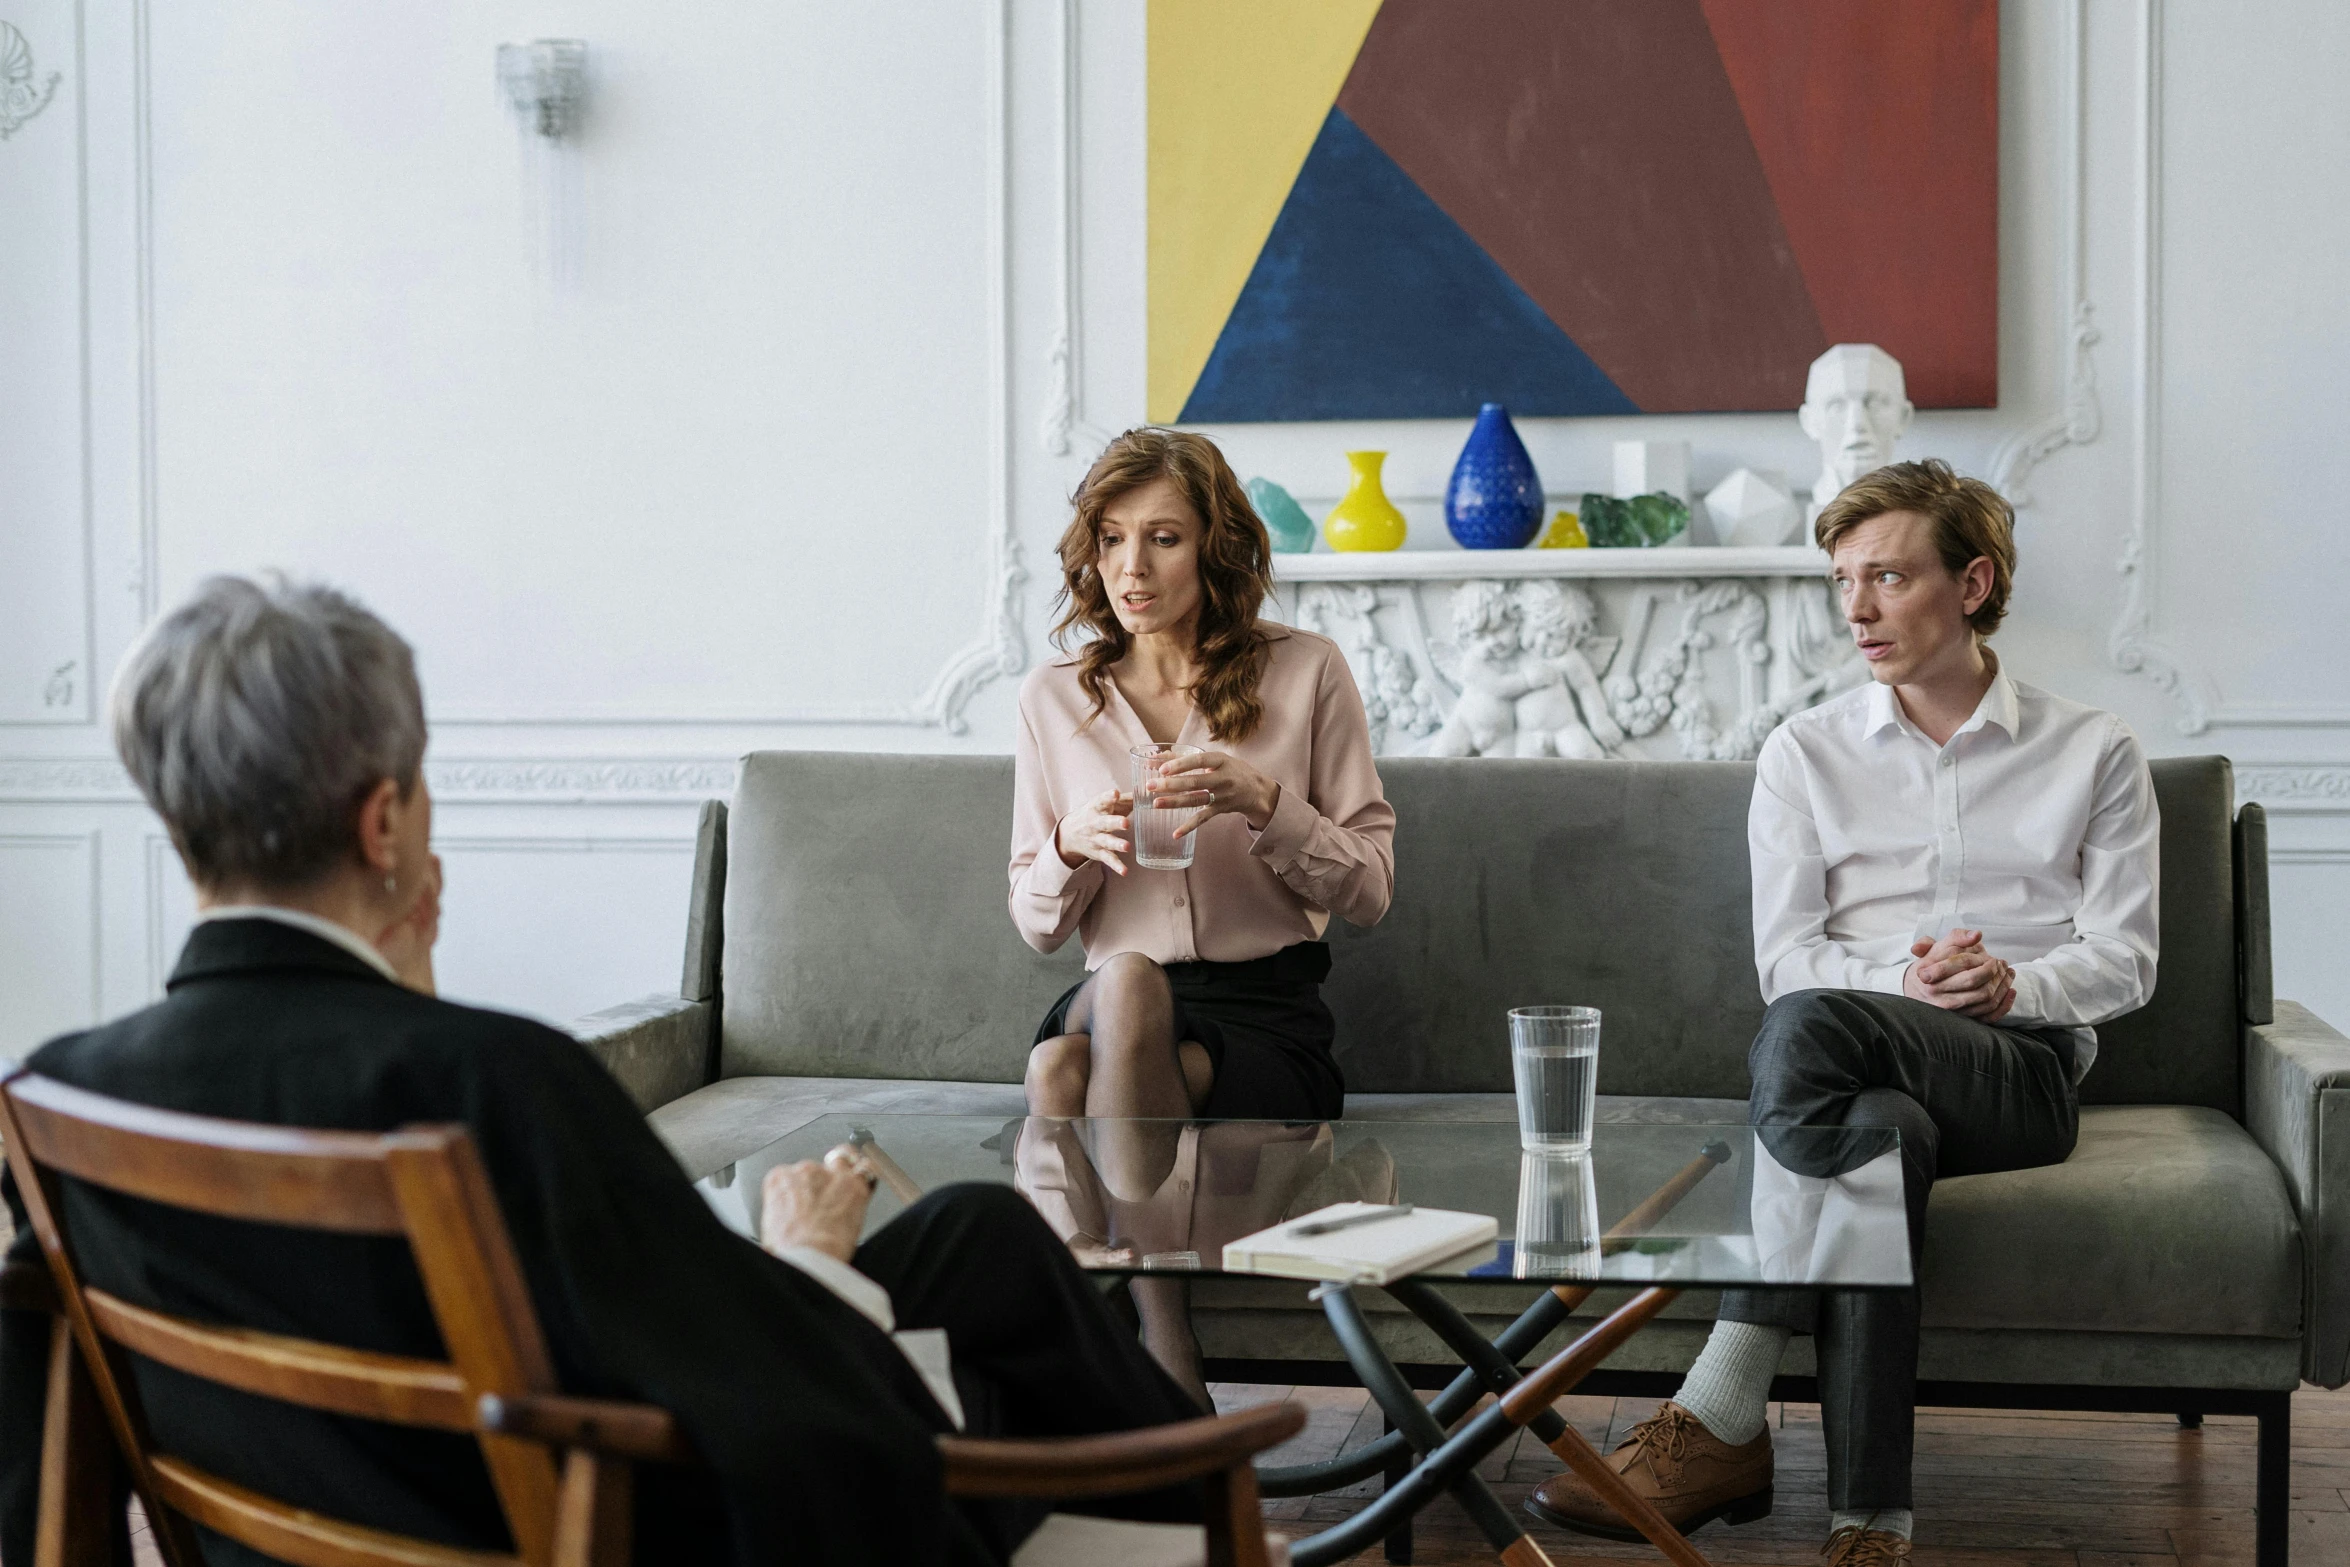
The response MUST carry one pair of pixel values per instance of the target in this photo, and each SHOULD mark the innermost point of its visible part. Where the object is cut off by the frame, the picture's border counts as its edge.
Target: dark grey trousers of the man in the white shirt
(1968, 1098)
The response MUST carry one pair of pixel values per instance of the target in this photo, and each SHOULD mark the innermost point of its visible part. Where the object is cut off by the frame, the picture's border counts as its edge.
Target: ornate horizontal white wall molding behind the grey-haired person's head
(535, 781)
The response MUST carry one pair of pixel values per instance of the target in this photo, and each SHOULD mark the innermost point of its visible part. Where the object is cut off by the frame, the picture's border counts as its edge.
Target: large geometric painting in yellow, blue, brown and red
(1409, 208)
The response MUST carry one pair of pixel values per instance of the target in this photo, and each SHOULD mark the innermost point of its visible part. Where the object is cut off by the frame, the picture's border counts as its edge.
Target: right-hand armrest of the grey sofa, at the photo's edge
(2297, 1105)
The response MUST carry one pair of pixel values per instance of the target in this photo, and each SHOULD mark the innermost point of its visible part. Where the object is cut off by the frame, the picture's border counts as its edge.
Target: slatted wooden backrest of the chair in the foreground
(419, 1183)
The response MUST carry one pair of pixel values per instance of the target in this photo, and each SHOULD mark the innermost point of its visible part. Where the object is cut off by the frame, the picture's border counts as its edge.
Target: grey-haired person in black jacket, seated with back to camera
(281, 732)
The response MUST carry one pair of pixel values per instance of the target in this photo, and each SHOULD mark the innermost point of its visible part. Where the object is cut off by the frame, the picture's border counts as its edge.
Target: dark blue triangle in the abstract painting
(1369, 302)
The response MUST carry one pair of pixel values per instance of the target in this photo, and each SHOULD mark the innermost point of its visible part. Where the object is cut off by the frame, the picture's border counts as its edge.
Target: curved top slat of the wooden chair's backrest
(229, 1169)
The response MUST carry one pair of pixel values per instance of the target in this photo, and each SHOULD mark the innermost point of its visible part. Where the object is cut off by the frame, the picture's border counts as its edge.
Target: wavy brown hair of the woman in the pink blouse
(1235, 574)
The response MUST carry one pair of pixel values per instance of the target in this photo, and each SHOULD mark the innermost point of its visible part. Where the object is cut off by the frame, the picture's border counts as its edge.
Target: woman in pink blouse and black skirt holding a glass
(1204, 990)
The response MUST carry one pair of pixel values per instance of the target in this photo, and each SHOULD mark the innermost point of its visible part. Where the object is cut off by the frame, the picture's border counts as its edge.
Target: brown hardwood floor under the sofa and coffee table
(1994, 1491)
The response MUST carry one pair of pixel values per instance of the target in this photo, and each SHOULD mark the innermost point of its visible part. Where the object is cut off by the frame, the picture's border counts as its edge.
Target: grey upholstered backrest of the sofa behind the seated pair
(866, 927)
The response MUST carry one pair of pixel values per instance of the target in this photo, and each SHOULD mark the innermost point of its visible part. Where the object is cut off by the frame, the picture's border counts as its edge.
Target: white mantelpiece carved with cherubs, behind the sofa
(1641, 654)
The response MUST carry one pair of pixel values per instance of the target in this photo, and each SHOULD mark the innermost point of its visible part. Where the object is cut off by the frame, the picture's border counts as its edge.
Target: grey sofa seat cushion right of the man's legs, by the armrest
(2168, 1218)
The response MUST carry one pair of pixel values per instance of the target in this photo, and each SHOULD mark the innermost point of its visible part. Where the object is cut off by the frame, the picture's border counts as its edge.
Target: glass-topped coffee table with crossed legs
(1656, 1209)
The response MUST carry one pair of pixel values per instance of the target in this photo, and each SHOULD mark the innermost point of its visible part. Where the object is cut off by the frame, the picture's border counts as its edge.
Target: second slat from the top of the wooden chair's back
(295, 1371)
